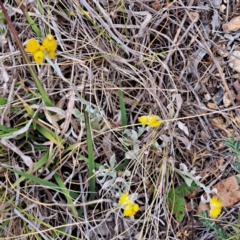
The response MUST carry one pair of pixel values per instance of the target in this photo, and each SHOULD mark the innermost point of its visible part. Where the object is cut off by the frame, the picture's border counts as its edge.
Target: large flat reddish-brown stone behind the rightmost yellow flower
(228, 193)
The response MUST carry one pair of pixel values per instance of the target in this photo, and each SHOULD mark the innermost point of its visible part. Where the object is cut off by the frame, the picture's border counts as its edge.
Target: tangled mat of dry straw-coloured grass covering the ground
(166, 61)
